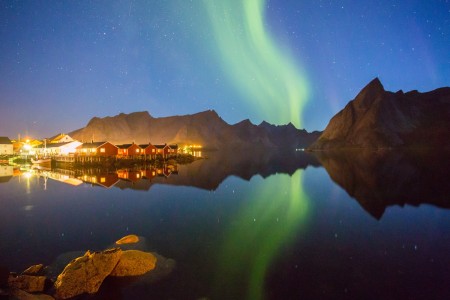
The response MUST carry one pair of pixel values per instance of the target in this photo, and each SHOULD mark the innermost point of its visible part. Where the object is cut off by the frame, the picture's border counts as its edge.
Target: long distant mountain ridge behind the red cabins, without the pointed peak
(204, 128)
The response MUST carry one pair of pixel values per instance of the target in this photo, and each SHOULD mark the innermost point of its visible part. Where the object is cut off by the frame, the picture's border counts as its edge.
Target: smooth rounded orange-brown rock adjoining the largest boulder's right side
(134, 263)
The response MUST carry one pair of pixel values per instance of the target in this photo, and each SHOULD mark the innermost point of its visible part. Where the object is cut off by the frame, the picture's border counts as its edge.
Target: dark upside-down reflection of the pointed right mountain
(378, 179)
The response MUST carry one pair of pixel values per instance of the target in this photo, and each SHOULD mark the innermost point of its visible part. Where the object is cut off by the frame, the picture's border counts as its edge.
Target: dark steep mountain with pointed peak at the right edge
(380, 119)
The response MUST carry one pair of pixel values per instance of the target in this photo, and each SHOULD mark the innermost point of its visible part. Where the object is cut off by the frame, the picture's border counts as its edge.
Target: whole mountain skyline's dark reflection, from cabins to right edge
(376, 179)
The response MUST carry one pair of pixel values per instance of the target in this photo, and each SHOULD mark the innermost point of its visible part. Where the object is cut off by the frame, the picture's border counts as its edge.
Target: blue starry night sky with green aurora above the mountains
(64, 62)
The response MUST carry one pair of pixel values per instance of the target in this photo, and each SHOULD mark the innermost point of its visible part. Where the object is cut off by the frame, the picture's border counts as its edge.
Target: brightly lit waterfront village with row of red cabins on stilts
(65, 149)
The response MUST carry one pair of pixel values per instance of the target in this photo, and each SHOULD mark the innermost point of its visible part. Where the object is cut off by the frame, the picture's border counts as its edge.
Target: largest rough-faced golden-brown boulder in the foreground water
(85, 274)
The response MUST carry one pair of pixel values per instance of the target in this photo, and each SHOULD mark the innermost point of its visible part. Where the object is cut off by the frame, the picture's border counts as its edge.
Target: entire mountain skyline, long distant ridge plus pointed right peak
(374, 119)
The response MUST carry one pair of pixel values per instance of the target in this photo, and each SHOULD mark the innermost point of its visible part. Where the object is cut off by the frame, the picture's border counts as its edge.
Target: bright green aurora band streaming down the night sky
(266, 75)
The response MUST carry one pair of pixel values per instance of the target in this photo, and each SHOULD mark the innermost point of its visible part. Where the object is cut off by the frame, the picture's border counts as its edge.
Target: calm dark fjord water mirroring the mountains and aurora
(297, 226)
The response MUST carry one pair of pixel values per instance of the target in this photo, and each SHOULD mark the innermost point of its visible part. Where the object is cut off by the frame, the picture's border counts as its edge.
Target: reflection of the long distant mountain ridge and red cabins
(205, 174)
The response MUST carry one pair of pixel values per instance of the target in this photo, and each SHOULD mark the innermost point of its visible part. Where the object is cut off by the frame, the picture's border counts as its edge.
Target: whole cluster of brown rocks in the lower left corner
(85, 274)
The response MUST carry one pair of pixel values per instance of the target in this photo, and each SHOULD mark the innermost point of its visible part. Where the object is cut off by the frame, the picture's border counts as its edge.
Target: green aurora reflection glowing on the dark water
(273, 212)
